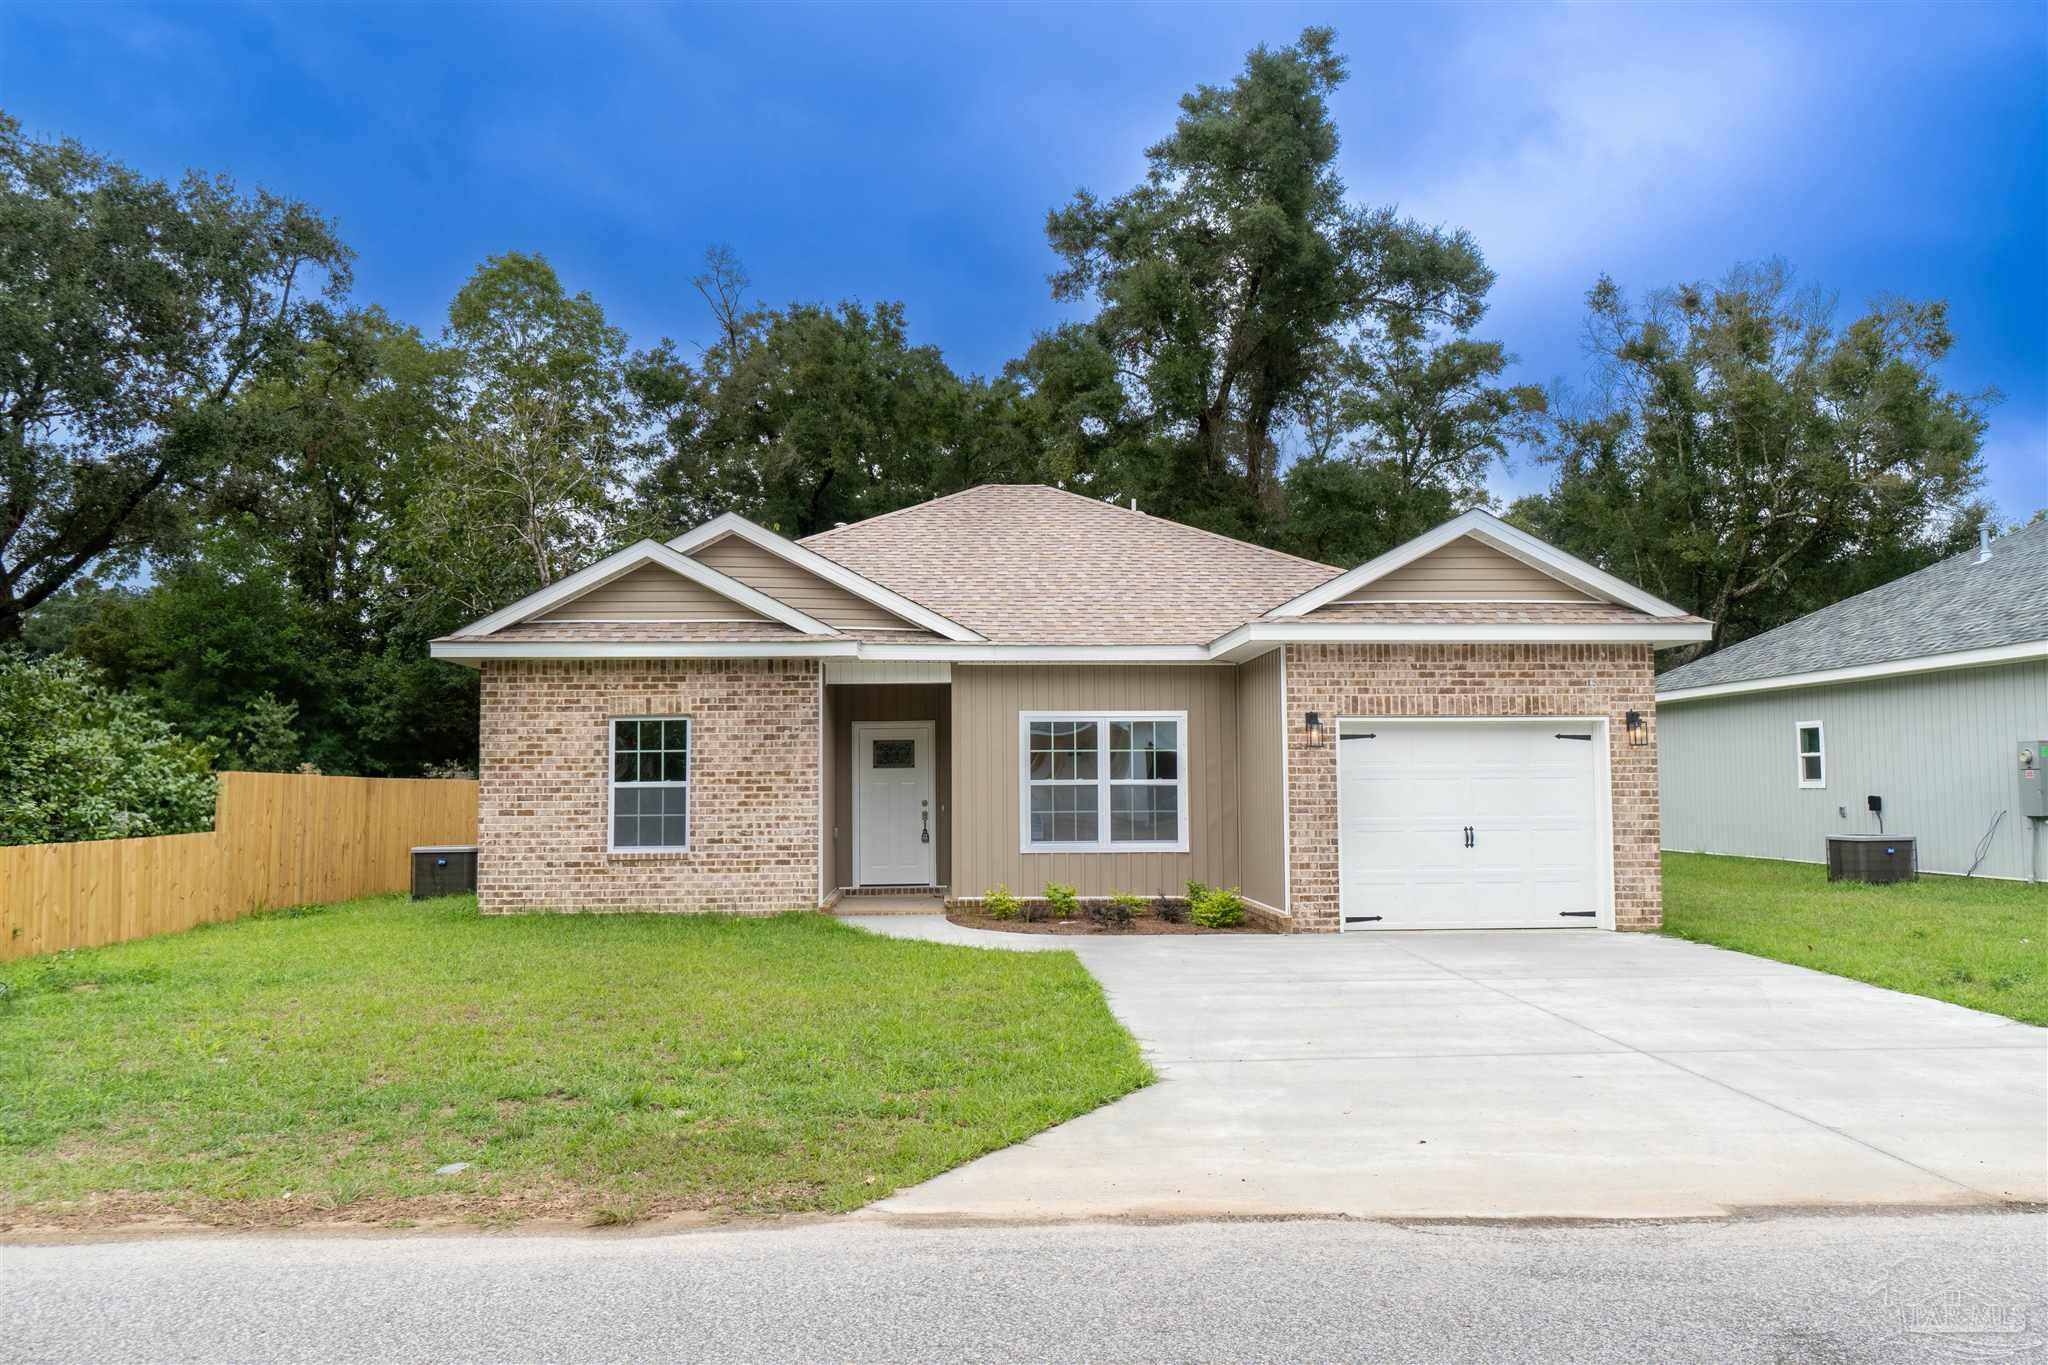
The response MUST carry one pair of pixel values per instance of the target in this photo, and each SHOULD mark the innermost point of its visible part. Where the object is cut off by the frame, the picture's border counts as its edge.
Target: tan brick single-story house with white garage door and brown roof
(1017, 685)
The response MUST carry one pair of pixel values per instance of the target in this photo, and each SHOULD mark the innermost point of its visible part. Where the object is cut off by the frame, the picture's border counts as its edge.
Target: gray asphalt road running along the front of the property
(1781, 1288)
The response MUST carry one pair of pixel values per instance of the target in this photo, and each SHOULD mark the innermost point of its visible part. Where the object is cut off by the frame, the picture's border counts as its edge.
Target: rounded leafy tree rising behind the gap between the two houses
(1752, 461)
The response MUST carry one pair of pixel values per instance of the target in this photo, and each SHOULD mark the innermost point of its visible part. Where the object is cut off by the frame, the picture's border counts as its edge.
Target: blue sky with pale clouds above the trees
(910, 152)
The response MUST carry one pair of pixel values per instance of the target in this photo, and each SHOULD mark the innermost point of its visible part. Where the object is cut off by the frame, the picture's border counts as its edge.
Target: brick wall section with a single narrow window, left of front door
(755, 787)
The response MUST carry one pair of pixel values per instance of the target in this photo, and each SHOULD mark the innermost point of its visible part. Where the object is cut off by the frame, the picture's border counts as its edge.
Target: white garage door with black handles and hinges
(1486, 826)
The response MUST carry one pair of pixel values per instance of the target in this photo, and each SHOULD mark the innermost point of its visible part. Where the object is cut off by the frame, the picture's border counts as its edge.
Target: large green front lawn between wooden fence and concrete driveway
(603, 1067)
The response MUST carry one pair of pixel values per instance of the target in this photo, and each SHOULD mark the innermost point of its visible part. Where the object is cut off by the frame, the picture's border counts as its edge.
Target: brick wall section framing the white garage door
(1469, 680)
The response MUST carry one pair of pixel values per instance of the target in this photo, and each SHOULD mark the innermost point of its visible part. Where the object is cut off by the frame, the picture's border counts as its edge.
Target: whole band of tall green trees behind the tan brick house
(237, 504)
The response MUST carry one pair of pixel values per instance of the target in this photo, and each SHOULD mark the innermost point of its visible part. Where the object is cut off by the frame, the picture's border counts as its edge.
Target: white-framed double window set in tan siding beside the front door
(1097, 783)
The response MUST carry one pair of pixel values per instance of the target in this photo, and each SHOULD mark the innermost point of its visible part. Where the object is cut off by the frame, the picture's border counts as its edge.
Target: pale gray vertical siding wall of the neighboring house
(1943, 750)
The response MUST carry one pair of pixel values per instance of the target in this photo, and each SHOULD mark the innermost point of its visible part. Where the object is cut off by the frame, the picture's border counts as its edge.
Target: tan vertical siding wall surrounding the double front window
(986, 838)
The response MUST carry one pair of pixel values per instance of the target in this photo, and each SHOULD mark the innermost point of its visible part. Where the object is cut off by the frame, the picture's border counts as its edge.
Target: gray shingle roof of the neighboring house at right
(1945, 609)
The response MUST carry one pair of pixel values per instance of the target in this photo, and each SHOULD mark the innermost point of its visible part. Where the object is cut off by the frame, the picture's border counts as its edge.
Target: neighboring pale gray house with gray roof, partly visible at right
(1920, 693)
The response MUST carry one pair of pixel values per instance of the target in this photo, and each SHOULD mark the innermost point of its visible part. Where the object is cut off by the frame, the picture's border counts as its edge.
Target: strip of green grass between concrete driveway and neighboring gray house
(1973, 942)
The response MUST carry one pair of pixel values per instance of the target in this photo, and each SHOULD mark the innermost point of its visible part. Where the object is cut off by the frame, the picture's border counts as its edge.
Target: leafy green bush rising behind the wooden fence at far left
(85, 762)
